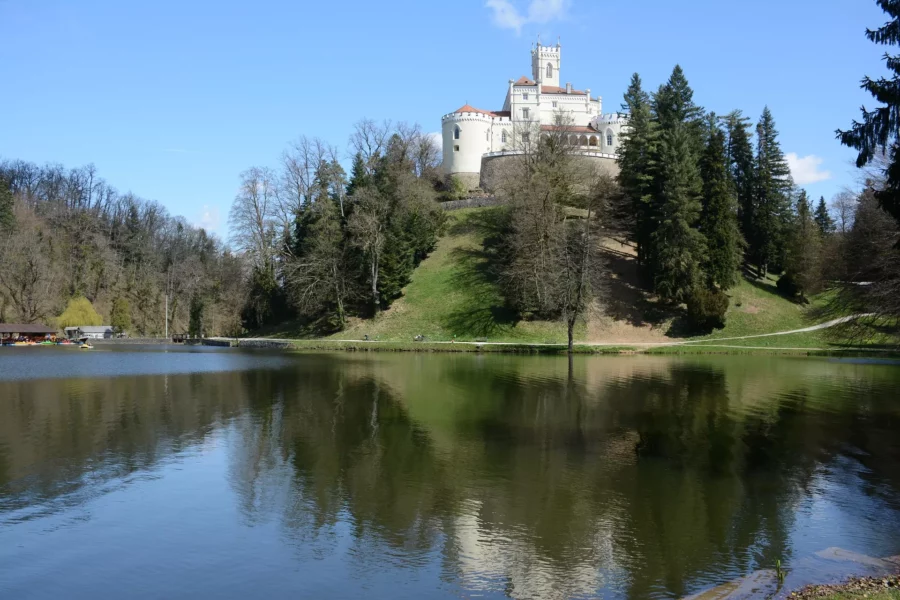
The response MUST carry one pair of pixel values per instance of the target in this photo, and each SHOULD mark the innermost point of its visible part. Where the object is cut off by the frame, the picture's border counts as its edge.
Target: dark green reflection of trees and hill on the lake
(529, 477)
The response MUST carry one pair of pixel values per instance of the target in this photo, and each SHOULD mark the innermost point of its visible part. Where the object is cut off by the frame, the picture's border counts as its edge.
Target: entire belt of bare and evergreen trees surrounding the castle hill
(705, 199)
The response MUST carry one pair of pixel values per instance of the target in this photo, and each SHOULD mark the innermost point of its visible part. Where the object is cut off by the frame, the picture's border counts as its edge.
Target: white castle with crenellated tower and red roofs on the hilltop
(472, 137)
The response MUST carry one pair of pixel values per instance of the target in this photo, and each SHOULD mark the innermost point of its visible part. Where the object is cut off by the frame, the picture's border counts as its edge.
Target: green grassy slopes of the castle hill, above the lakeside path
(452, 296)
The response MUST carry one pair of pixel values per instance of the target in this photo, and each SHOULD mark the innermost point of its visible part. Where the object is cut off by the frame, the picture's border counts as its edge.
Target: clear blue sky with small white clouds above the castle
(173, 99)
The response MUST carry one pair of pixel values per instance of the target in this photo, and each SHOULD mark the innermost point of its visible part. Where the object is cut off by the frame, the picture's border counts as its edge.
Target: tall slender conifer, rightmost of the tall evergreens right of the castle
(771, 207)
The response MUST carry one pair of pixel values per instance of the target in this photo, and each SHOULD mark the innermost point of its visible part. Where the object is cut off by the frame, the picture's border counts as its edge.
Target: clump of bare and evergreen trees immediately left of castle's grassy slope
(323, 247)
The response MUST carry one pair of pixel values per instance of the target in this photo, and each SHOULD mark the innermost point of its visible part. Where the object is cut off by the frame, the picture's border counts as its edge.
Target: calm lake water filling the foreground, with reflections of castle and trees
(146, 473)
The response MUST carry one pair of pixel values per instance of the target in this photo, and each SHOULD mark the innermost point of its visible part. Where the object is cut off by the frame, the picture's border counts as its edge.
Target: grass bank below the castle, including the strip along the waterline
(452, 295)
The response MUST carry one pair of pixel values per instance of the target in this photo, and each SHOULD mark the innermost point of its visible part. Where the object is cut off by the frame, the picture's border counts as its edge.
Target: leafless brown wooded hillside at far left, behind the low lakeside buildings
(68, 238)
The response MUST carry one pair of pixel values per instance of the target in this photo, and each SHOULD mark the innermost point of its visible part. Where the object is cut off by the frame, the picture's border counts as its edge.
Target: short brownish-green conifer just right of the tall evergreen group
(803, 260)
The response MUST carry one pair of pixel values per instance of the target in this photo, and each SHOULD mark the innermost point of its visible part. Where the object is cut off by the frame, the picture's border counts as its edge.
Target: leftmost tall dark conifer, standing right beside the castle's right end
(636, 155)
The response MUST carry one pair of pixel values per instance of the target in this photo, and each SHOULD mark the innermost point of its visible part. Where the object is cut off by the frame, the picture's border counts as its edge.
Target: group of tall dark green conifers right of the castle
(709, 196)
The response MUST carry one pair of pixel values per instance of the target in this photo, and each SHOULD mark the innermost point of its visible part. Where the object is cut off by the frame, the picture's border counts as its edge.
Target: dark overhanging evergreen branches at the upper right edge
(880, 128)
